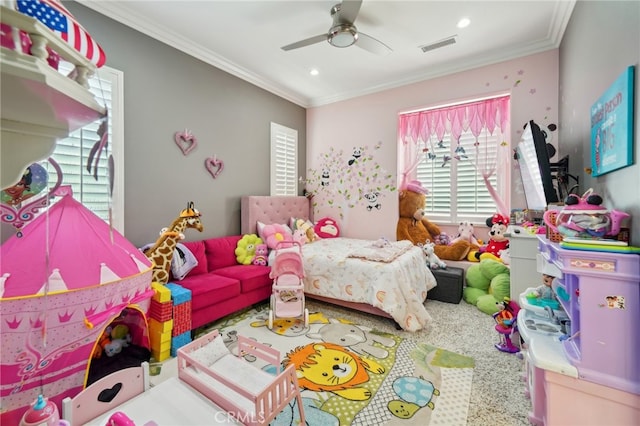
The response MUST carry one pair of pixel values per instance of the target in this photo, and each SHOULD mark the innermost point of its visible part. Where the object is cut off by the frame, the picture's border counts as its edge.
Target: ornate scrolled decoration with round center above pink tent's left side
(33, 182)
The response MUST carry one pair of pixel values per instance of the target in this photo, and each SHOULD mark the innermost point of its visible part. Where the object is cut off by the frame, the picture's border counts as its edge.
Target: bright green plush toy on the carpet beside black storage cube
(488, 283)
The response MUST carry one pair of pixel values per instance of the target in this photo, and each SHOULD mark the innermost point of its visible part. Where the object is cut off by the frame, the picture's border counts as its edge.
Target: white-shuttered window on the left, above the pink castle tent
(72, 153)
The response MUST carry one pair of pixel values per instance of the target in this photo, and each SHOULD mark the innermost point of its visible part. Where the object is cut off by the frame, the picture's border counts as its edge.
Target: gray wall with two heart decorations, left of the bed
(166, 91)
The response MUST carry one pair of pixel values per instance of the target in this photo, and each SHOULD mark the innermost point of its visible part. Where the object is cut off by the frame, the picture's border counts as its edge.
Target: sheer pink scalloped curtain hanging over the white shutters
(416, 129)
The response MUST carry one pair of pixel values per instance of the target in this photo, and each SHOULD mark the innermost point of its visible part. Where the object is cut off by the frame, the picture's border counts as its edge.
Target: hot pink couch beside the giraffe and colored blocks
(219, 285)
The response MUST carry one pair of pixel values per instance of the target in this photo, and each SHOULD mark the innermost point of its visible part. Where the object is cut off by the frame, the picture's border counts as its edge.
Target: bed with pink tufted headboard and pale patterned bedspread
(392, 281)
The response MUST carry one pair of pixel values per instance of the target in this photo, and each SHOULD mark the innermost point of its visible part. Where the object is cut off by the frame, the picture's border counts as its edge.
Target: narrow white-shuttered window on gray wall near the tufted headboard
(284, 160)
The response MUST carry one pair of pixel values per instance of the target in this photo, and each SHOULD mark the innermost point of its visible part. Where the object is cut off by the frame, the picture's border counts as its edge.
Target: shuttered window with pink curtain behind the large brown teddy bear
(460, 153)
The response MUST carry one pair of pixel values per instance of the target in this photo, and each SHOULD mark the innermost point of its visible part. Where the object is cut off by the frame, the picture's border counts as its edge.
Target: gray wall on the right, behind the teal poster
(601, 41)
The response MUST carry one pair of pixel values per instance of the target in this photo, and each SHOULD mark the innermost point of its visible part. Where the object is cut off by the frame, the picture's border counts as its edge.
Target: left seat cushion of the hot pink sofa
(208, 290)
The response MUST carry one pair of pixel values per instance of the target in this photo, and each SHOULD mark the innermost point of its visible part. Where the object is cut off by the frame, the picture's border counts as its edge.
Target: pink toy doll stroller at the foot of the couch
(287, 292)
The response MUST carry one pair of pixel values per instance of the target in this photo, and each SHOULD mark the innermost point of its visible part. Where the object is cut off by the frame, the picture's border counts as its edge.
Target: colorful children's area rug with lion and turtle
(352, 375)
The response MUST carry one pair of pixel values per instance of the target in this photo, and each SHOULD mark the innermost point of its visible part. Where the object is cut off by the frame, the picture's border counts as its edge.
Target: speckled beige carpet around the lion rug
(497, 392)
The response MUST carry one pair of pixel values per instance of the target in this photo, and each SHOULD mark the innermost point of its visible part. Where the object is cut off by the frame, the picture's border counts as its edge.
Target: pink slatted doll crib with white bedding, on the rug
(247, 392)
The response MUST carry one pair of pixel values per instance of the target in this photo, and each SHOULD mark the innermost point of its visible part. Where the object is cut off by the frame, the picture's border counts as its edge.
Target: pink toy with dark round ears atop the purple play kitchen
(585, 217)
